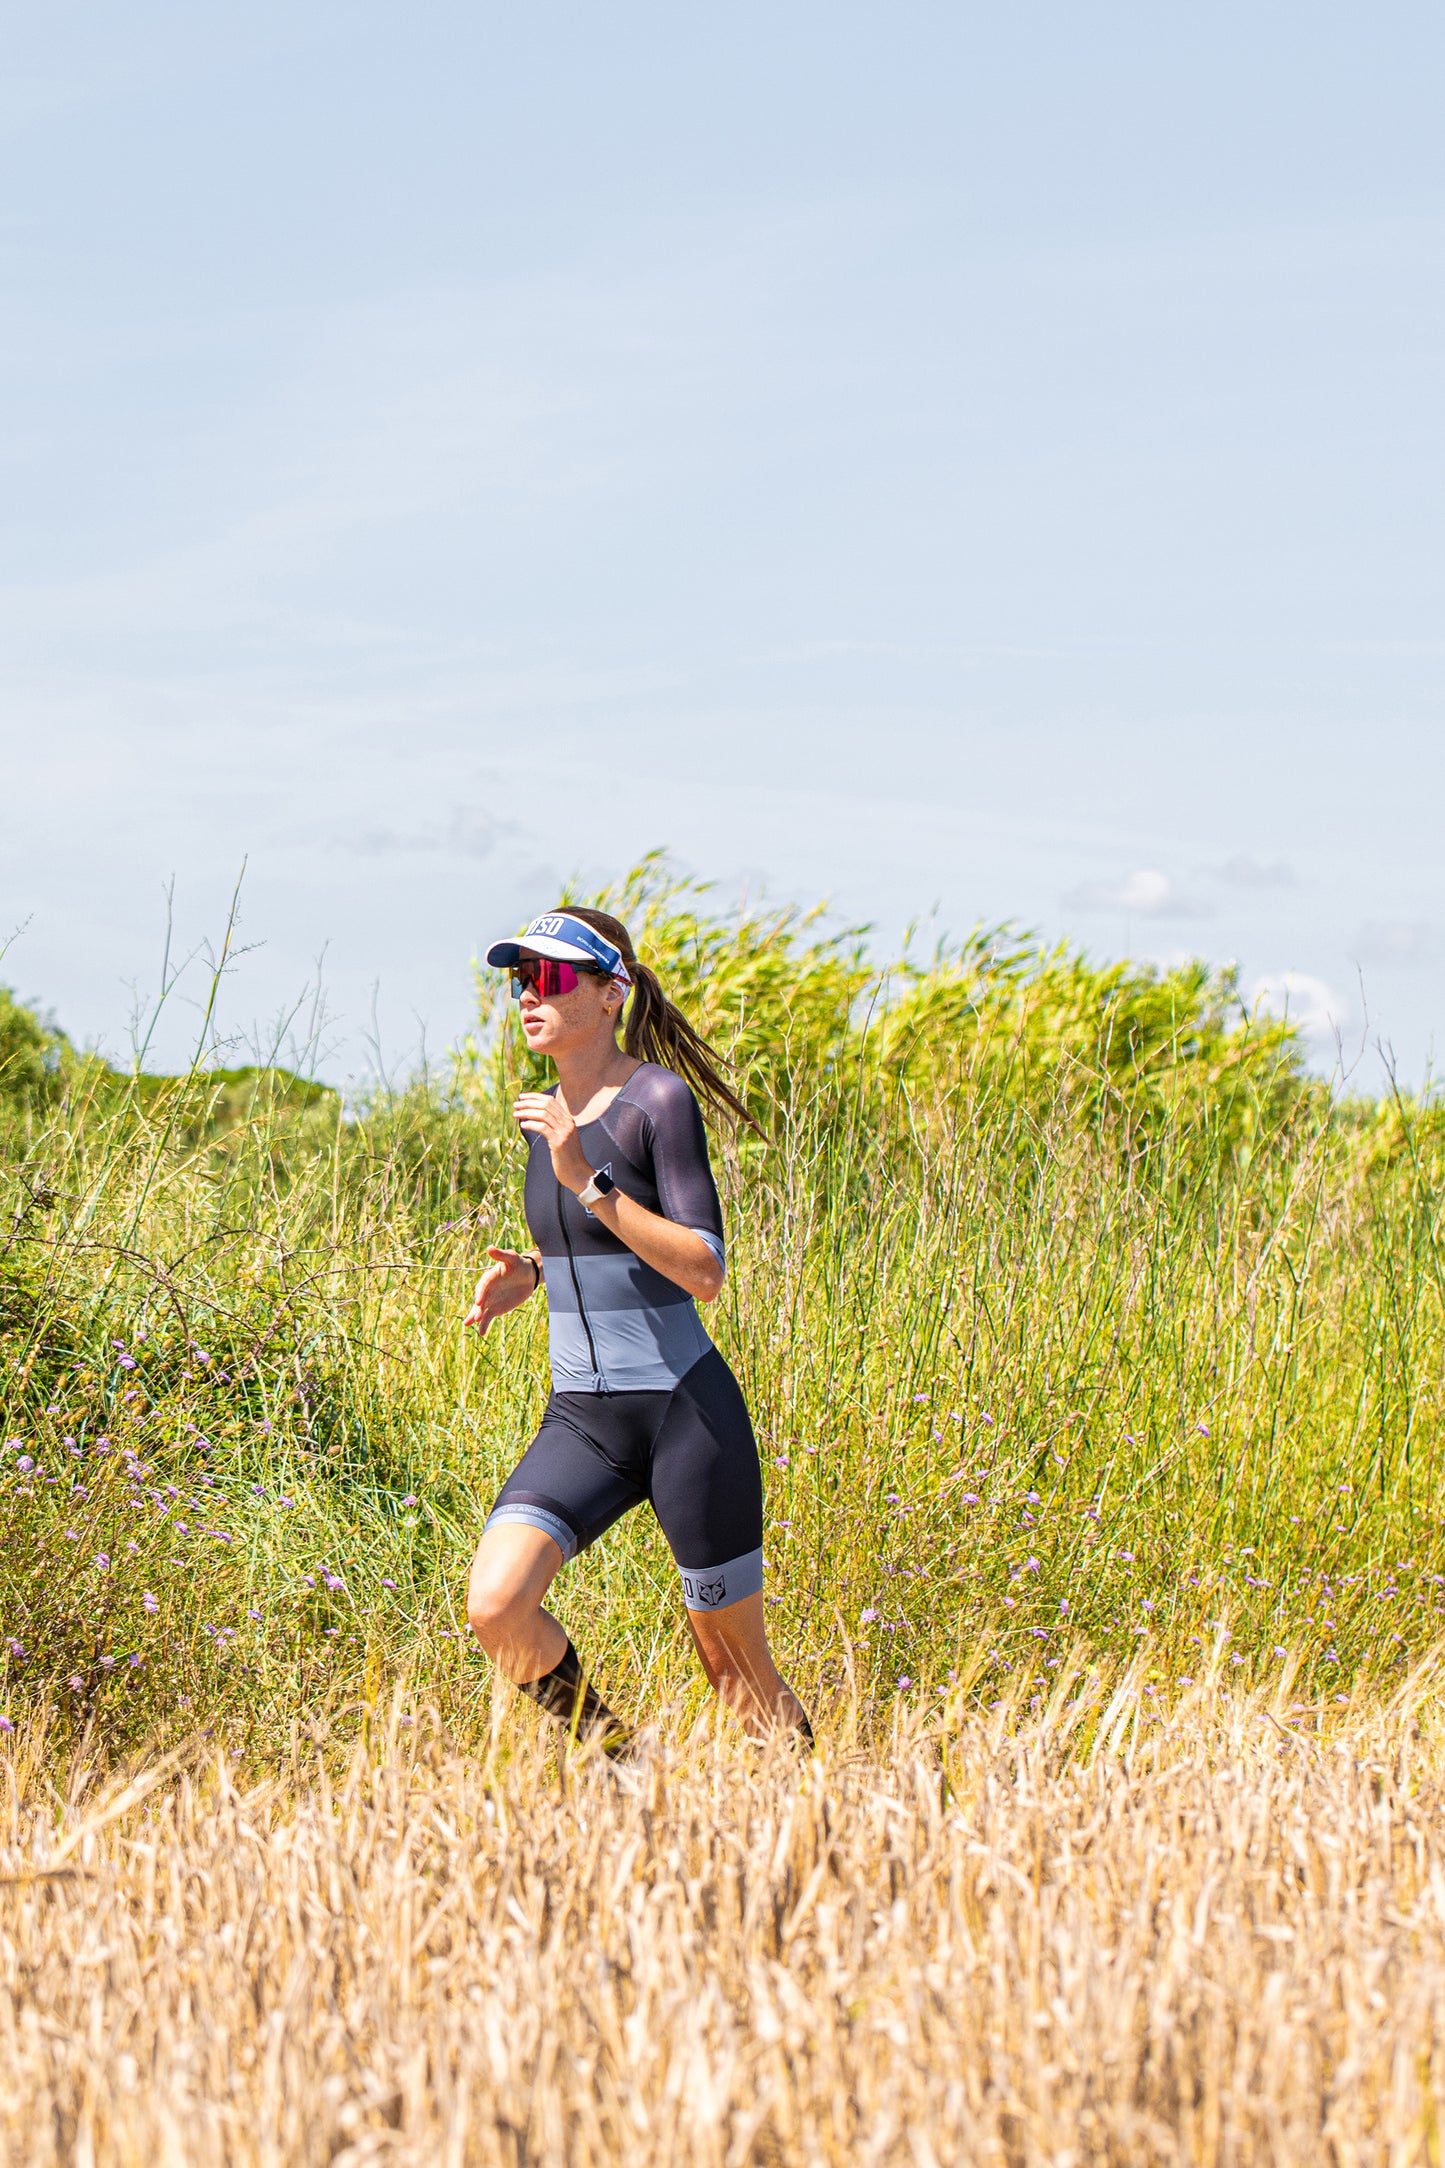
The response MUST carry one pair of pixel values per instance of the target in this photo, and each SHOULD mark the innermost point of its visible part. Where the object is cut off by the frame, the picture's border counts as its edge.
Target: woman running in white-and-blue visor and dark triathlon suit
(623, 1209)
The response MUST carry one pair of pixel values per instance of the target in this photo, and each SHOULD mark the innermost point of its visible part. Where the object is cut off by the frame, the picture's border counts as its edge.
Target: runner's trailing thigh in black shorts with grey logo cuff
(707, 1488)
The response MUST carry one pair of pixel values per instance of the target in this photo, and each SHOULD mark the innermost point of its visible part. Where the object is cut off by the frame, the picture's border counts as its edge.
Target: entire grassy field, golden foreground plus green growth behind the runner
(1093, 1350)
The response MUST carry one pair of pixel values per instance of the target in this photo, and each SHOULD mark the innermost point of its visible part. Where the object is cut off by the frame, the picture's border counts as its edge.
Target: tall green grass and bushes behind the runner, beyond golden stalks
(1069, 1311)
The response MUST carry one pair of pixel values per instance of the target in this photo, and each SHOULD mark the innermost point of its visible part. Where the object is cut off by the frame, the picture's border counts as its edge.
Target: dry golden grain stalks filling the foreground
(1206, 1939)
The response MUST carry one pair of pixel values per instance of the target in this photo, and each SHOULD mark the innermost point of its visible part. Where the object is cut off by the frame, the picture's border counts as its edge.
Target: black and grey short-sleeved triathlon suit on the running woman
(642, 1404)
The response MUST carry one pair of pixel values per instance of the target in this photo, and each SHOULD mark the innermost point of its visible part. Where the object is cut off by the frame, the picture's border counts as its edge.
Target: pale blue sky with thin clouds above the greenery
(943, 459)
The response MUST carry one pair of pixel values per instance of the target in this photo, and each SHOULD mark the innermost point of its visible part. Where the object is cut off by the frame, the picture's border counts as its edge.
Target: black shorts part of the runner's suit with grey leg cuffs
(688, 1451)
